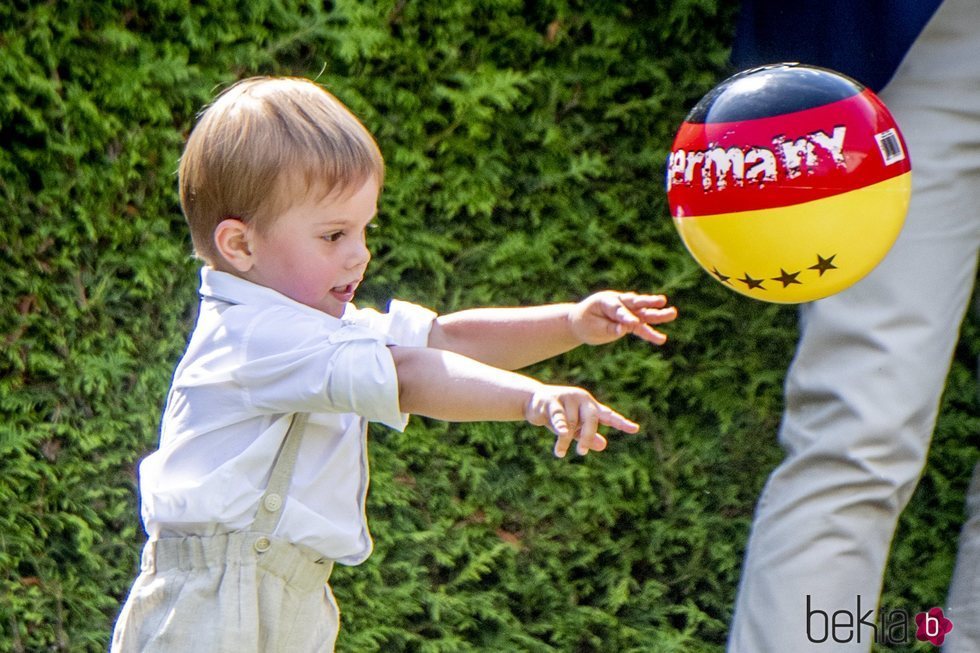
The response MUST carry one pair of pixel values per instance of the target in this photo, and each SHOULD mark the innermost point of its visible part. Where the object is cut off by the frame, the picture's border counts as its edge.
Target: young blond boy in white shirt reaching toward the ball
(259, 483)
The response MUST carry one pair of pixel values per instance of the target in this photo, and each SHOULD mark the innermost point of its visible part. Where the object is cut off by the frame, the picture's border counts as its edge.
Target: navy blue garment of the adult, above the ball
(864, 39)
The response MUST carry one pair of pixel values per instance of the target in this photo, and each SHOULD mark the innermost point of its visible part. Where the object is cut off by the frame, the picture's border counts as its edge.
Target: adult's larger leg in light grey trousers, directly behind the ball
(863, 390)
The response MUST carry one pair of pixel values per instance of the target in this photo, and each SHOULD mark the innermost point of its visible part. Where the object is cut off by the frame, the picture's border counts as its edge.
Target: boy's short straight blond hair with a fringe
(253, 144)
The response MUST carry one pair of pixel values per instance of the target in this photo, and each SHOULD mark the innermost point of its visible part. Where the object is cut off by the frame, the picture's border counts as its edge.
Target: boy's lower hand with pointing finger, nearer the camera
(574, 414)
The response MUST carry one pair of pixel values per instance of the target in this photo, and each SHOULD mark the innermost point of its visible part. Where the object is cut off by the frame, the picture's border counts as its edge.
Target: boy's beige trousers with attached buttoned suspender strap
(237, 592)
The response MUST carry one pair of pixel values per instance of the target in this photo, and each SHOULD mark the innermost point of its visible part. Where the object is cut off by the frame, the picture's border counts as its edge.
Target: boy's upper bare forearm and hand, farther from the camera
(511, 338)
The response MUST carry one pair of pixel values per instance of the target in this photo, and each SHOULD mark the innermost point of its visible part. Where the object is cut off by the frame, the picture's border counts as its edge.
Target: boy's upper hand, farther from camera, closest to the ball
(607, 316)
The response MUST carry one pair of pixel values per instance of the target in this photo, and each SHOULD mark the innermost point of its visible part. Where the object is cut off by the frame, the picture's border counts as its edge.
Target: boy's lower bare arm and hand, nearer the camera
(448, 386)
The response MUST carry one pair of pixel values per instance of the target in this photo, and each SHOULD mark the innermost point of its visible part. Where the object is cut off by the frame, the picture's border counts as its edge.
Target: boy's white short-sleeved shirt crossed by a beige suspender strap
(255, 358)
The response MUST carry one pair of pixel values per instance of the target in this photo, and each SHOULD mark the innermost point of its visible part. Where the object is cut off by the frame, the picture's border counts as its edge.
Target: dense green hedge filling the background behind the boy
(525, 143)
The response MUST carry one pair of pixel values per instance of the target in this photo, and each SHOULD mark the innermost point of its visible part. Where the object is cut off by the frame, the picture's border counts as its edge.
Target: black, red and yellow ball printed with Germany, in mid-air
(789, 183)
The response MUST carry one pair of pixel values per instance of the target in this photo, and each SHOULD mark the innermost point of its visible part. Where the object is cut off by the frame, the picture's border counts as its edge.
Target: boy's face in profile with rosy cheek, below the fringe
(315, 251)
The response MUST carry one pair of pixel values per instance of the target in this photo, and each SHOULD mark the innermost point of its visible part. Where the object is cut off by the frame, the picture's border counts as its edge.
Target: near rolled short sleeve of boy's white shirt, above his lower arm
(299, 365)
